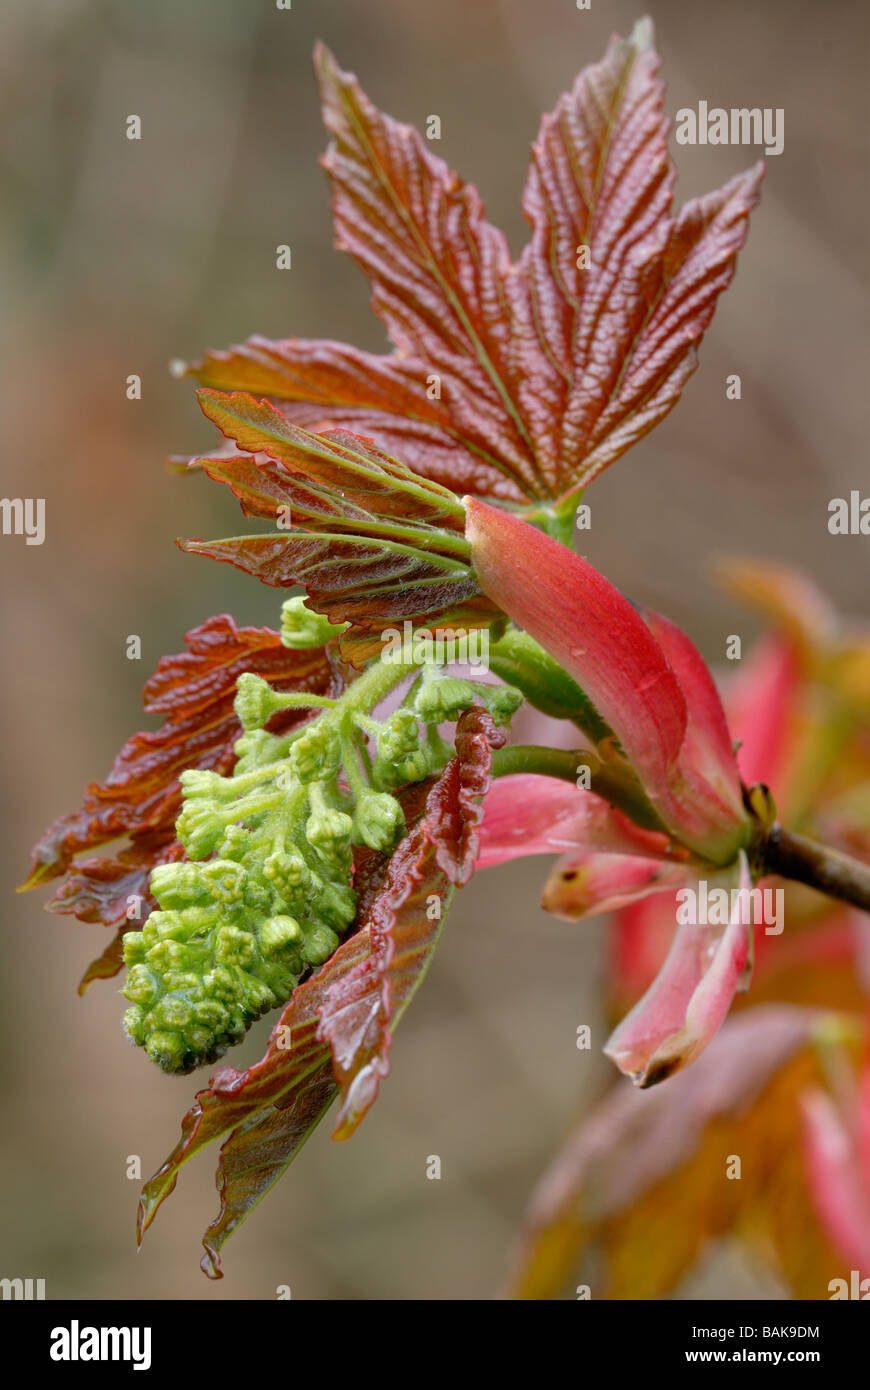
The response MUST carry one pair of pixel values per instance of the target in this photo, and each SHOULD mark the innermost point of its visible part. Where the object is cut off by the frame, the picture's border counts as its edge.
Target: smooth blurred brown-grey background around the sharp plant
(117, 256)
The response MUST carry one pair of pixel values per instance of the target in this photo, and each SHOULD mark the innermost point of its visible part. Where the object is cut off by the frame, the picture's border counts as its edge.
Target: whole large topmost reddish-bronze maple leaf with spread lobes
(512, 382)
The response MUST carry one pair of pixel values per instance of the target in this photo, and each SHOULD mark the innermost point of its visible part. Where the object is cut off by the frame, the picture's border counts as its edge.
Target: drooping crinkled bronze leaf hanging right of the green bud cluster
(336, 1033)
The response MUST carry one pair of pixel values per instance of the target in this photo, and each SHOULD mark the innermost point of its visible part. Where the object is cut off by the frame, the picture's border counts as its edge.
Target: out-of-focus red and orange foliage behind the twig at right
(639, 1192)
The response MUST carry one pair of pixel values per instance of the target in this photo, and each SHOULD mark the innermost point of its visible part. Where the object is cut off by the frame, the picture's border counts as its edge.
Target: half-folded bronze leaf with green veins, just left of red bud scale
(377, 546)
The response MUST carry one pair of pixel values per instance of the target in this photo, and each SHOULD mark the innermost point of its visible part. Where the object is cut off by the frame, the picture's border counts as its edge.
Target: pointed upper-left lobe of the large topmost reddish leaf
(441, 273)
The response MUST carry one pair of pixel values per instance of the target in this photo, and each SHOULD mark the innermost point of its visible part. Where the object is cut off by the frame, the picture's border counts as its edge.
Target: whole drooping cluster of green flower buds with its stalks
(266, 892)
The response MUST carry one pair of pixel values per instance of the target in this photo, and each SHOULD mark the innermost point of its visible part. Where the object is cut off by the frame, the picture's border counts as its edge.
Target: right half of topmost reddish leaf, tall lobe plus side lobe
(608, 347)
